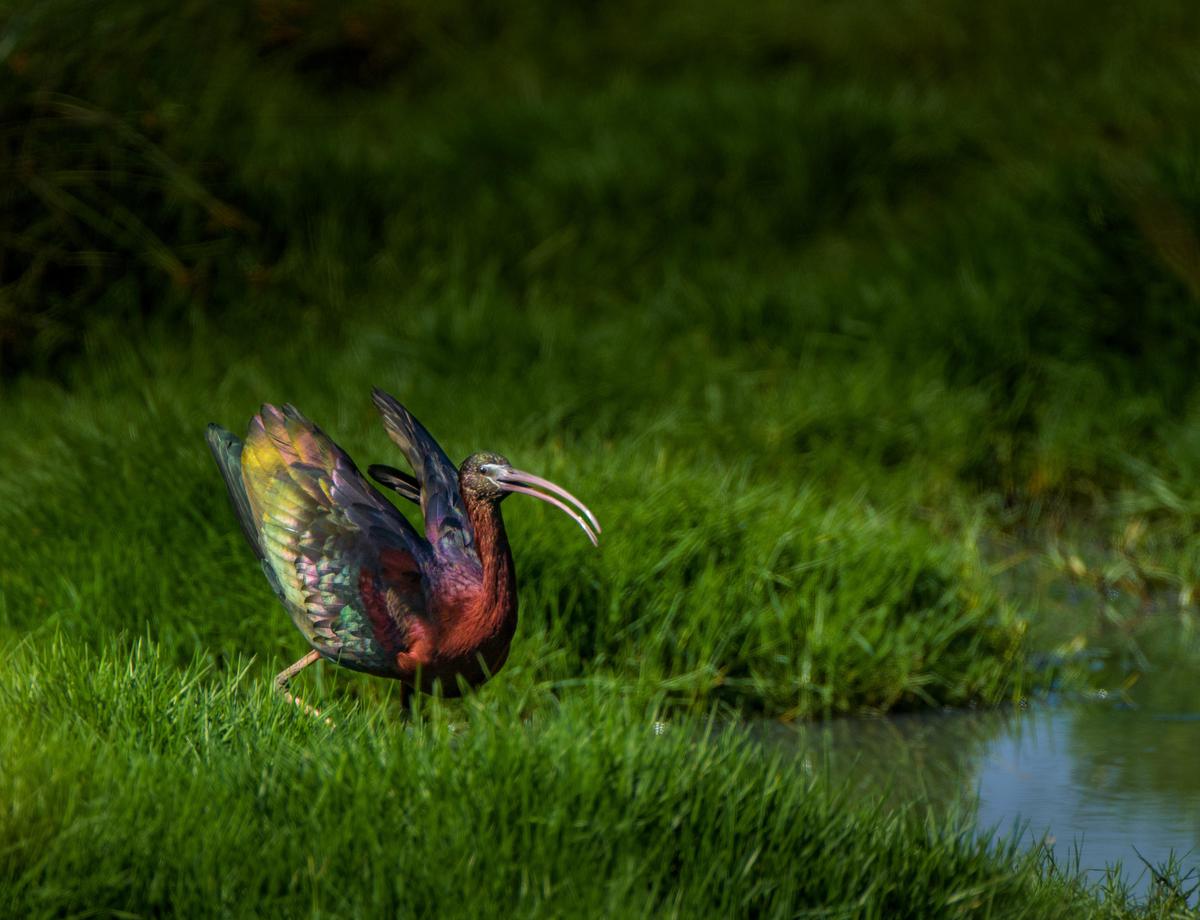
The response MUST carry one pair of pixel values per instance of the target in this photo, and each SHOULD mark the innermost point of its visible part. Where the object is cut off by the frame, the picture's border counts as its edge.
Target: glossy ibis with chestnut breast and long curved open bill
(367, 591)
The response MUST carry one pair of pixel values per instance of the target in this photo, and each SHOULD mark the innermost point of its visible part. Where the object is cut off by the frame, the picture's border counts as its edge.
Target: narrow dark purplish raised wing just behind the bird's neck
(446, 516)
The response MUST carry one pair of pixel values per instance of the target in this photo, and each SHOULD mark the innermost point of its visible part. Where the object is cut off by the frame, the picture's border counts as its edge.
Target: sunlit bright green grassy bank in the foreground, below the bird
(135, 787)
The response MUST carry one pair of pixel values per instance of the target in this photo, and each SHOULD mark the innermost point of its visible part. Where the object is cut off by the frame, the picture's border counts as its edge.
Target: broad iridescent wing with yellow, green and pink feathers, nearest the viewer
(345, 563)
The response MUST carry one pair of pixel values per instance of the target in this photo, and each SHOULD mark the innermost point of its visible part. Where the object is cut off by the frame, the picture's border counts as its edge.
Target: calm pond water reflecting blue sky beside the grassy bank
(1112, 778)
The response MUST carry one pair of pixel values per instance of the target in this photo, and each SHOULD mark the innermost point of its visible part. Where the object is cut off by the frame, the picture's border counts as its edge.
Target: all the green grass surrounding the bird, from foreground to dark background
(855, 324)
